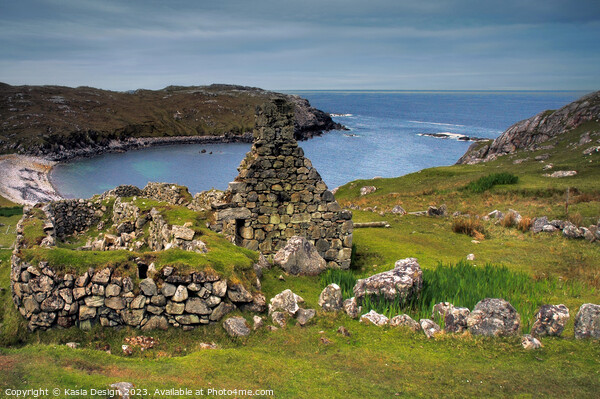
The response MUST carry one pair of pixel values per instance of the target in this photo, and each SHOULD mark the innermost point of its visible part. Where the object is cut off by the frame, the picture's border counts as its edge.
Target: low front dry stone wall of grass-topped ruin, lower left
(47, 299)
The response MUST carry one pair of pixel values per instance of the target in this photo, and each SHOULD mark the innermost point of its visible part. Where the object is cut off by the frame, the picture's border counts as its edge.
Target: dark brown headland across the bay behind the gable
(62, 122)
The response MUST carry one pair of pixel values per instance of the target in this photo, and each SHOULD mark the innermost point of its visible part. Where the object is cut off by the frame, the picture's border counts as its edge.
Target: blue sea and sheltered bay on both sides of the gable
(385, 139)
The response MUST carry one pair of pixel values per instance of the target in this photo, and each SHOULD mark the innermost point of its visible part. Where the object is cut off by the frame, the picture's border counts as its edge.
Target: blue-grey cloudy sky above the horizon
(303, 44)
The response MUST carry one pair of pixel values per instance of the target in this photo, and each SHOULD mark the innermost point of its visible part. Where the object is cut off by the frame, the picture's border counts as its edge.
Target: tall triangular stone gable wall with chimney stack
(278, 194)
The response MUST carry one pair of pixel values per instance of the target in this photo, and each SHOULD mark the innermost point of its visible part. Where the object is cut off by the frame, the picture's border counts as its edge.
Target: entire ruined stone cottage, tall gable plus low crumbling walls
(277, 195)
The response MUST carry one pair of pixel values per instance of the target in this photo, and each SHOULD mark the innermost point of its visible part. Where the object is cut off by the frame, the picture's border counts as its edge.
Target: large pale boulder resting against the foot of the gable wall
(300, 257)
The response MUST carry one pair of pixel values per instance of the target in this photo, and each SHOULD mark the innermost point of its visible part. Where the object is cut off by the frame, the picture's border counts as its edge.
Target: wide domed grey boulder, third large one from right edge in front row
(494, 317)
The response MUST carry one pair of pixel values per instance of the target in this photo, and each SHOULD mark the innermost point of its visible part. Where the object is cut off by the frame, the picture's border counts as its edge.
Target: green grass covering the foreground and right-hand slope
(316, 361)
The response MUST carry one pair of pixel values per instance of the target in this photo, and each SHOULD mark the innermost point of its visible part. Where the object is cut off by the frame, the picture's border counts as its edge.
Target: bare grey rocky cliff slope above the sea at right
(536, 131)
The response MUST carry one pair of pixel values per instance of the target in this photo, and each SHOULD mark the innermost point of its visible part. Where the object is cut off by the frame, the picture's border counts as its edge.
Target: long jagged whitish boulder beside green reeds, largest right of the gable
(404, 282)
